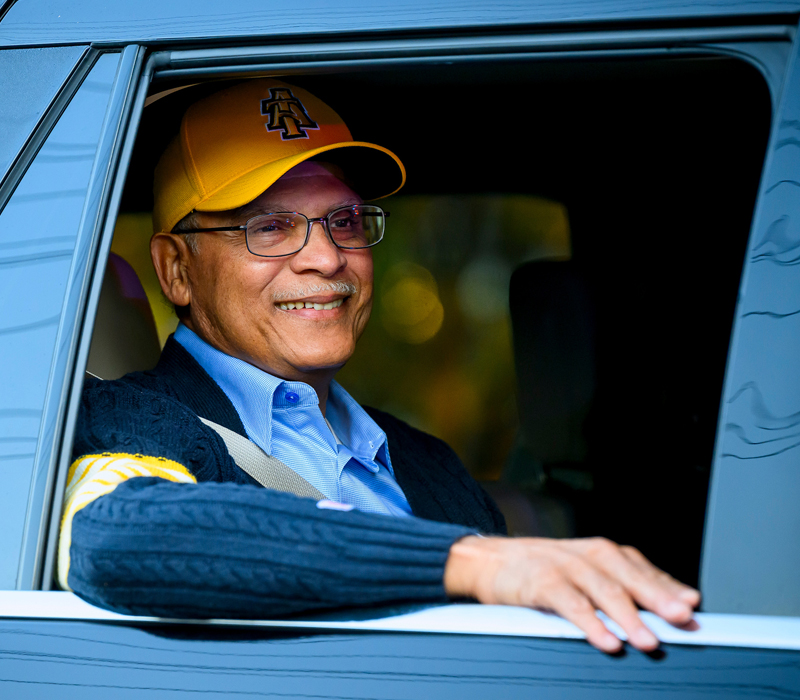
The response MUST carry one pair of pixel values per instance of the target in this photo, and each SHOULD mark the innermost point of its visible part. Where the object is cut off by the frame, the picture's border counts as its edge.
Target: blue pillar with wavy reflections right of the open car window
(751, 561)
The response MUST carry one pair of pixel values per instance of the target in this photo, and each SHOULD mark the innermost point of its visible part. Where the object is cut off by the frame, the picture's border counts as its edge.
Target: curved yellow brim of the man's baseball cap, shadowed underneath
(373, 172)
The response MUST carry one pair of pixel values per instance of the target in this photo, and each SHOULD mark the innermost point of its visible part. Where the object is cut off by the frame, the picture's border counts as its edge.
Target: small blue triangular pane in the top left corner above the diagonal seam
(29, 80)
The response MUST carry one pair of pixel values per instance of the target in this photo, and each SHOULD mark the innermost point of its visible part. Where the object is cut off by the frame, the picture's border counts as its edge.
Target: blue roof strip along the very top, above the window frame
(41, 22)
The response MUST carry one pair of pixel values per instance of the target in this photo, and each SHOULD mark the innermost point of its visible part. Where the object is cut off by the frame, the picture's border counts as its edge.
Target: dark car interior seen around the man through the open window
(557, 285)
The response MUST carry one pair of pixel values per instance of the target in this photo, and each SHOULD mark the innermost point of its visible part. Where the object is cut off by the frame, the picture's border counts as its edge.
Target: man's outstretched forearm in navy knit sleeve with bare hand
(152, 547)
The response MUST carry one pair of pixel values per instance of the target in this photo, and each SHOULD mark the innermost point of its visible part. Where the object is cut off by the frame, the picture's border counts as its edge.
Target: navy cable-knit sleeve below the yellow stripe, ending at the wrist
(211, 550)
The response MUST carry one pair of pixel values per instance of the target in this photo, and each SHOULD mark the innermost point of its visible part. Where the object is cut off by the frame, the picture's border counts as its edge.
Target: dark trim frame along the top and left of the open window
(753, 44)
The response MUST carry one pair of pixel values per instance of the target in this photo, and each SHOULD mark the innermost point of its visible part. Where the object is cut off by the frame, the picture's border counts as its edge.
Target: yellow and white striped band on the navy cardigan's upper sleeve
(92, 476)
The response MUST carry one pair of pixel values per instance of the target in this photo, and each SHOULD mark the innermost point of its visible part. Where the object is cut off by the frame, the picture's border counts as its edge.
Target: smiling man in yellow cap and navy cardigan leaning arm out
(263, 244)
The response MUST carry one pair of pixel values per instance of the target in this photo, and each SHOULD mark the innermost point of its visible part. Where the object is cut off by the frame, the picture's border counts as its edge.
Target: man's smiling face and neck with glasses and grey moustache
(299, 301)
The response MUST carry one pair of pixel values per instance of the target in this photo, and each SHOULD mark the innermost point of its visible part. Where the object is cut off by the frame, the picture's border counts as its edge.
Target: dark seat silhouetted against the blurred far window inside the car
(553, 327)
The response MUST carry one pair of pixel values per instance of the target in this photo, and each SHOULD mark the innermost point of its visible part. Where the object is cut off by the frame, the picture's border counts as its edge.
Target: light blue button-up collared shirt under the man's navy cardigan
(350, 465)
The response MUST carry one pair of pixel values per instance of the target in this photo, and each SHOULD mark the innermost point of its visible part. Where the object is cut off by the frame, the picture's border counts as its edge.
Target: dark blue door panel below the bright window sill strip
(86, 661)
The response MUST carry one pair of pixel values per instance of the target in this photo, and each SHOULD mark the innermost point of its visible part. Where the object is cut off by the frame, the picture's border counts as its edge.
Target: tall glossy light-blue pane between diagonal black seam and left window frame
(38, 228)
